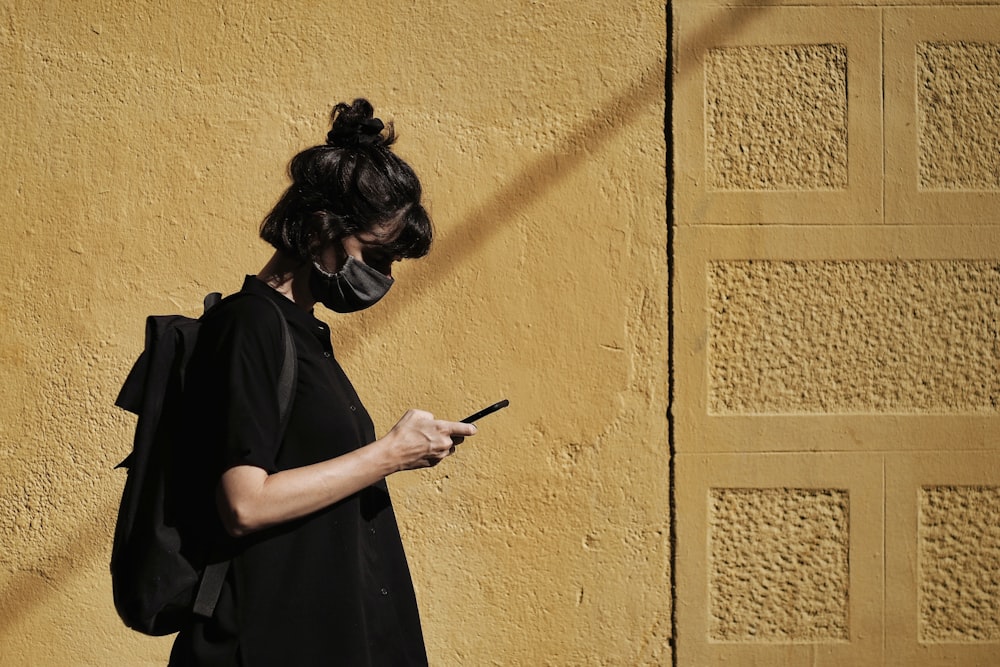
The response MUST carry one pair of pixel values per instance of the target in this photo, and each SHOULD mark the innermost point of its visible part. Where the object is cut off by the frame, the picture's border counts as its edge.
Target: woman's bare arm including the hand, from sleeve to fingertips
(250, 499)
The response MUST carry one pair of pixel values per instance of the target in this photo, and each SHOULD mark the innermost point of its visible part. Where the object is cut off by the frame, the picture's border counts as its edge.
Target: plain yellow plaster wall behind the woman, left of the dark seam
(143, 142)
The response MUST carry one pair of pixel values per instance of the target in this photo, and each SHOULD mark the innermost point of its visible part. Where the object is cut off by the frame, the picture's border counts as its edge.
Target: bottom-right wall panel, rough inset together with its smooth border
(942, 556)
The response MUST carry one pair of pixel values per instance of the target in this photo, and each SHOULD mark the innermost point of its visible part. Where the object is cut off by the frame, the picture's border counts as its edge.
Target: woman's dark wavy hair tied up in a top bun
(353, 183)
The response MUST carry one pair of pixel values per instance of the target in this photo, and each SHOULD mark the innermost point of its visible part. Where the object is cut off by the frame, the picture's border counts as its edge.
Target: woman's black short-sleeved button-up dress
(332, 588)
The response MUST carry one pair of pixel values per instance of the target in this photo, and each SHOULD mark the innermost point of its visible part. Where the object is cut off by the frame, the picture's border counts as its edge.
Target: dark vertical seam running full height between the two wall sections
(669, 219)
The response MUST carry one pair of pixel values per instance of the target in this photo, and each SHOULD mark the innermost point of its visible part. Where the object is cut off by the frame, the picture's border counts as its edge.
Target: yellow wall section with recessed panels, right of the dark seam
(837, 356)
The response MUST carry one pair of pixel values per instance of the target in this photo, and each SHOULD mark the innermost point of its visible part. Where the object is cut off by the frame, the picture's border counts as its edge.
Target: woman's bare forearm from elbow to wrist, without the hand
(250, 499)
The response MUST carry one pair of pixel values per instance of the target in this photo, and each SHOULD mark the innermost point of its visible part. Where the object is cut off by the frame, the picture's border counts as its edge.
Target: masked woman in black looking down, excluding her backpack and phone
(318, 575)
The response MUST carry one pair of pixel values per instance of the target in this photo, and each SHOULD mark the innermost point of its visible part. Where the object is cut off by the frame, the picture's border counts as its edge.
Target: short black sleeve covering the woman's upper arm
(231, 389)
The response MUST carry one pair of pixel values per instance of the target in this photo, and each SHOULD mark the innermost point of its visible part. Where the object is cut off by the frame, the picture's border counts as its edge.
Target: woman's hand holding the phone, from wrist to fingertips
(419, 441)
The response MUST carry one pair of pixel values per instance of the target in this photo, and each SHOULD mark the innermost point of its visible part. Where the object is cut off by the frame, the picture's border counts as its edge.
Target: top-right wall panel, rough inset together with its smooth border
(942, 125)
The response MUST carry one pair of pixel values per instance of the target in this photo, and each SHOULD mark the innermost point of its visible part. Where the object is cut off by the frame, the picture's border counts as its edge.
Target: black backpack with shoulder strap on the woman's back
(156, 588)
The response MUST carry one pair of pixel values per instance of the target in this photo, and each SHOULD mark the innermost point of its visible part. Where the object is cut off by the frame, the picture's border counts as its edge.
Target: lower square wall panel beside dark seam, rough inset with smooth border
(779, 559)
